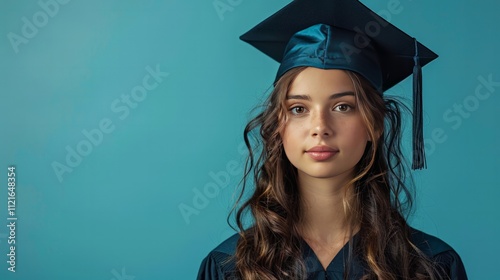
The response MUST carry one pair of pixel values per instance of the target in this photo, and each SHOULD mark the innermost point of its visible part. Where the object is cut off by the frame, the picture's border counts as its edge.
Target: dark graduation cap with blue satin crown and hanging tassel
(345, 34)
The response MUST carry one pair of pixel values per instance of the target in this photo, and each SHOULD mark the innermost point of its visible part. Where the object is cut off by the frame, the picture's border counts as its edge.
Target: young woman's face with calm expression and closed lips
(324, 135)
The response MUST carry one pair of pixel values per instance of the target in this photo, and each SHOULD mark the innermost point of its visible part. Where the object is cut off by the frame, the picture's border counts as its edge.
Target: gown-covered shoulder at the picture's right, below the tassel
(440, 253)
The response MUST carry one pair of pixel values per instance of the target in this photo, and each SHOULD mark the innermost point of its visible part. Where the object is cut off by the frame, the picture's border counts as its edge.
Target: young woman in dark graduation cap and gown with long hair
(331, 192)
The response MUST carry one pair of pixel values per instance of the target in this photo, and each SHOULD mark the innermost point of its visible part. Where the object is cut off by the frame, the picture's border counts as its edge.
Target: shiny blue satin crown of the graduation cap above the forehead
(326, 47)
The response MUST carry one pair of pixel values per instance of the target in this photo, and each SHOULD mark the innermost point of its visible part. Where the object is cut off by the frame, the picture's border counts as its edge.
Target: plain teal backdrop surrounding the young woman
(117, 214)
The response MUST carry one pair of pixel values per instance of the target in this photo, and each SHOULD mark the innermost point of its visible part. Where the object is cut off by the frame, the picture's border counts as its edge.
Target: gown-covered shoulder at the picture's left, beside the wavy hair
(219, 263)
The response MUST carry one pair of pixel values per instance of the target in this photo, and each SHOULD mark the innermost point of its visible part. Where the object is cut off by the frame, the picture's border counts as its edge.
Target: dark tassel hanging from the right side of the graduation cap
(418, 130)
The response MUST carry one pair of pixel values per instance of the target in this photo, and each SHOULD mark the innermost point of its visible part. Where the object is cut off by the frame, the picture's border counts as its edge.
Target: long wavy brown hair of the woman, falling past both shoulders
(270, 247)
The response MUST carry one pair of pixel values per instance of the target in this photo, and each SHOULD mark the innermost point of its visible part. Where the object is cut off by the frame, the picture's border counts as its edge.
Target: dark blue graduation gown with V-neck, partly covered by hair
(217, 267)
